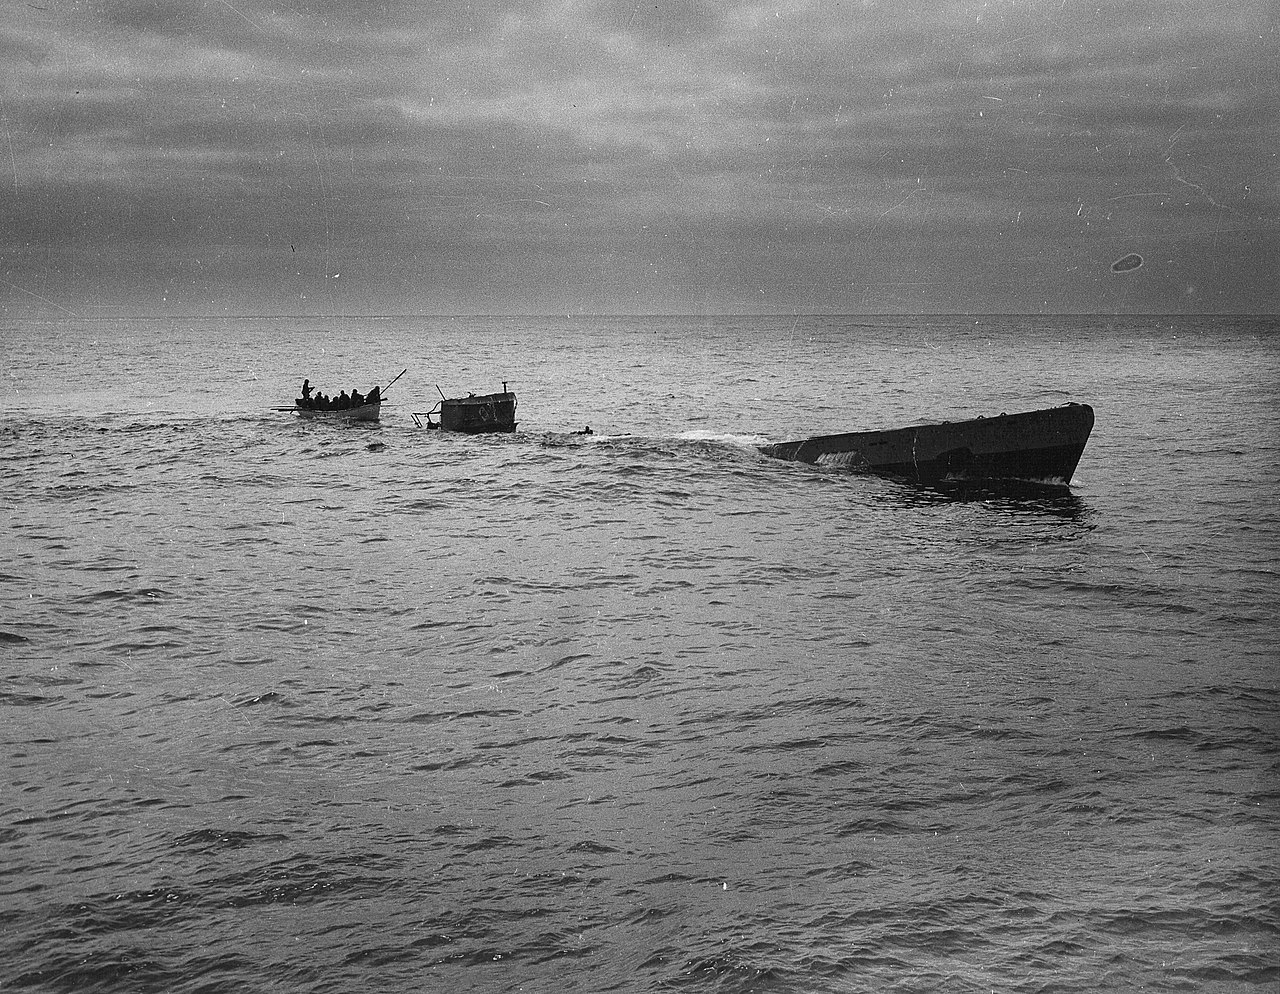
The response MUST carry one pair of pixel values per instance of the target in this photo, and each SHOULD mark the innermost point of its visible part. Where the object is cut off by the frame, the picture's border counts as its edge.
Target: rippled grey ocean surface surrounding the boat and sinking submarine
(300, 707)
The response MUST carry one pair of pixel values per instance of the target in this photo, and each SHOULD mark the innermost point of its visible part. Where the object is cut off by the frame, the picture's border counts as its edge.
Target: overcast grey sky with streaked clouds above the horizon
(406, 157)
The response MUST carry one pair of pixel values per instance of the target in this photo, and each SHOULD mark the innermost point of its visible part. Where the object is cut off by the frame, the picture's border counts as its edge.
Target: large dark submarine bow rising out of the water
(1037, 447)
